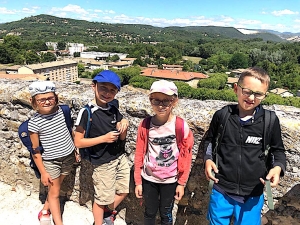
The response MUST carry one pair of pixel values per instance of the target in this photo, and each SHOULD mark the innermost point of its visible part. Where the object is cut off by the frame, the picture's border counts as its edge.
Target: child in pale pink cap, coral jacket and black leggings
(161, 167)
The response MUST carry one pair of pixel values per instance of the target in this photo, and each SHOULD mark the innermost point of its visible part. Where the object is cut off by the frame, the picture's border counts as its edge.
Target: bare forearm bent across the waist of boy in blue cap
(81, 142)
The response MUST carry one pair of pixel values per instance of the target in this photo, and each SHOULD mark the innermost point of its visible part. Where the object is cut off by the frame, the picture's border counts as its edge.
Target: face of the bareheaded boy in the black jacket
(250, 93)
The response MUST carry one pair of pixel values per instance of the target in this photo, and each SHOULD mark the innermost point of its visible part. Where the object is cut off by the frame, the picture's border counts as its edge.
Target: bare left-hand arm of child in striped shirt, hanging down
(45, 177)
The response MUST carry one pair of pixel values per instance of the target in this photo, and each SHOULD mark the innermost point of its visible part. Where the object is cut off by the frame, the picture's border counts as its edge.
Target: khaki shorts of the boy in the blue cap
(110, 179)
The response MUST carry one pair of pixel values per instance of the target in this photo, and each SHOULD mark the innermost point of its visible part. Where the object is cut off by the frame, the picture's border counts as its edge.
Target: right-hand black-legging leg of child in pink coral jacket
(167, 193)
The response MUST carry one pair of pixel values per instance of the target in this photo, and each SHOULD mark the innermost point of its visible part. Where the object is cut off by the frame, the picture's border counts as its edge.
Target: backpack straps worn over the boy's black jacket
(269, 119)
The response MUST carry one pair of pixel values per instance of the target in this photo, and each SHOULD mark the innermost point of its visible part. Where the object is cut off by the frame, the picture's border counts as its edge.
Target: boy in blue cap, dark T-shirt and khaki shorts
(107, 136)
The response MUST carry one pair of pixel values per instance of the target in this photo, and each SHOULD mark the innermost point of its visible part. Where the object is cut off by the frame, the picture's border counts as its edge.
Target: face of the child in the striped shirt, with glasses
(45, 103)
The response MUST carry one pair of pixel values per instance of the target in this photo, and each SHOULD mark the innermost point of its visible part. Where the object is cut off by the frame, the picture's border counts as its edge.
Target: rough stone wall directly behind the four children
(14, 169)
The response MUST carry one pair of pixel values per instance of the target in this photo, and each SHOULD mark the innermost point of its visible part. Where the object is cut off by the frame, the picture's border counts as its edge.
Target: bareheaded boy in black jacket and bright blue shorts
(239, 180)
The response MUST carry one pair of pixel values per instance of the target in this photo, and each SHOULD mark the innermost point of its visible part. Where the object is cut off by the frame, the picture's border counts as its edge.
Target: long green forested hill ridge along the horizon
(50, 28)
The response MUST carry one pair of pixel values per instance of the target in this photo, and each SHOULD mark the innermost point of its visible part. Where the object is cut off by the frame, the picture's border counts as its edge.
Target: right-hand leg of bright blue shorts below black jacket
(249, 213)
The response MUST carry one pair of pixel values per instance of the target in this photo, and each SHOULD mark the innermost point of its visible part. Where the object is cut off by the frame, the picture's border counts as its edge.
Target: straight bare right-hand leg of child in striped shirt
(53, 198)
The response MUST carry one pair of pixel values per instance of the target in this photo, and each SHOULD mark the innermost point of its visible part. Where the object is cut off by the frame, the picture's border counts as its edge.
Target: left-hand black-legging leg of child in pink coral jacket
(151, 200)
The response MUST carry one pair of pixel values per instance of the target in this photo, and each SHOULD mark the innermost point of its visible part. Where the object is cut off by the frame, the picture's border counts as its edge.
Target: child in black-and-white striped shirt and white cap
(49, 128)
